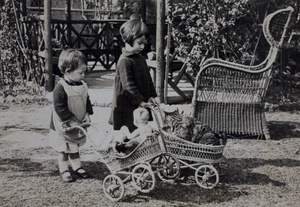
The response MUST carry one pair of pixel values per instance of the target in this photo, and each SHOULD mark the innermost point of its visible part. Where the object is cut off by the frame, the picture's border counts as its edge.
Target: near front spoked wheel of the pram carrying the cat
(207, 176)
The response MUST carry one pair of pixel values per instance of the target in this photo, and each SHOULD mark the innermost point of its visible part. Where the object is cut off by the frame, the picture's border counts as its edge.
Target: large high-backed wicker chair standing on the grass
(229, 97)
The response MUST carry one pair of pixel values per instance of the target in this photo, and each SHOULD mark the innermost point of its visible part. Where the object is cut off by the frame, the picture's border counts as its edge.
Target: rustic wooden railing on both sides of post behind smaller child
(98, 40)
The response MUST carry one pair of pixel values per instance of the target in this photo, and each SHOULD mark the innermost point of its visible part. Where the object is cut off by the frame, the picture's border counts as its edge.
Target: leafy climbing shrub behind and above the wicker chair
(213, 28)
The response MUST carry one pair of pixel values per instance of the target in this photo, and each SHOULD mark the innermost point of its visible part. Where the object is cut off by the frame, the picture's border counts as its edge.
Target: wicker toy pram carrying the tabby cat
(207, 160)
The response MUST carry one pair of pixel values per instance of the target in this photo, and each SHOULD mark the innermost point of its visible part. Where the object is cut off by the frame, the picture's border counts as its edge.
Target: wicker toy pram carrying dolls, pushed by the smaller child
(140, 166)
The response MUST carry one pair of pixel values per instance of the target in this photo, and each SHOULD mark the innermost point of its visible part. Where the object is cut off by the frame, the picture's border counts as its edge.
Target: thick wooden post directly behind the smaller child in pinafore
(48, 46)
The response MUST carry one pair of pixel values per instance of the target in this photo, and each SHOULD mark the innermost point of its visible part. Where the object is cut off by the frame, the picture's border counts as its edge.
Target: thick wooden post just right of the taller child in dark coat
(160, 58)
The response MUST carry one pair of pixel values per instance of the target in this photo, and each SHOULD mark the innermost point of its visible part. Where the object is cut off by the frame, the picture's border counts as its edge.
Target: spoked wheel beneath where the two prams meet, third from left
(168, 166)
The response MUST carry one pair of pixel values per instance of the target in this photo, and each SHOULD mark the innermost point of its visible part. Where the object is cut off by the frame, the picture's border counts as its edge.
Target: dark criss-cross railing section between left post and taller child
(98, 39)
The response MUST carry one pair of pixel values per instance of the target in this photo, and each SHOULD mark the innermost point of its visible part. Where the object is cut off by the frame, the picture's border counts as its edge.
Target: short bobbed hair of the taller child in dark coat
(133, 29)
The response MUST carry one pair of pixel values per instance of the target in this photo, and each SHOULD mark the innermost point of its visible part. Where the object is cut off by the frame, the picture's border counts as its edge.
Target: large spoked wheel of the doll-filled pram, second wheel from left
(143, 178)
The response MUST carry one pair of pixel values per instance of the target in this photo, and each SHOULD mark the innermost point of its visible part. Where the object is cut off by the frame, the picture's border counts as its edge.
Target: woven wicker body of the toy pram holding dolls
(146, 151)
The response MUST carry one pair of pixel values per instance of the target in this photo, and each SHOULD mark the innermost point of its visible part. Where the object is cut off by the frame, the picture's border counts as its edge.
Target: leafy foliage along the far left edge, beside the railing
(9, 49)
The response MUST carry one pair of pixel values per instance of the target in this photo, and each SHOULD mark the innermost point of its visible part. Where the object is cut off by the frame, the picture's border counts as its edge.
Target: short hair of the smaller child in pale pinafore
(69, 59)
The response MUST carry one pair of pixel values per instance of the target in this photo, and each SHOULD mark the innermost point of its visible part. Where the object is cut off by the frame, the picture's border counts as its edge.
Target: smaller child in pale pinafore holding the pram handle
(72, 107)
